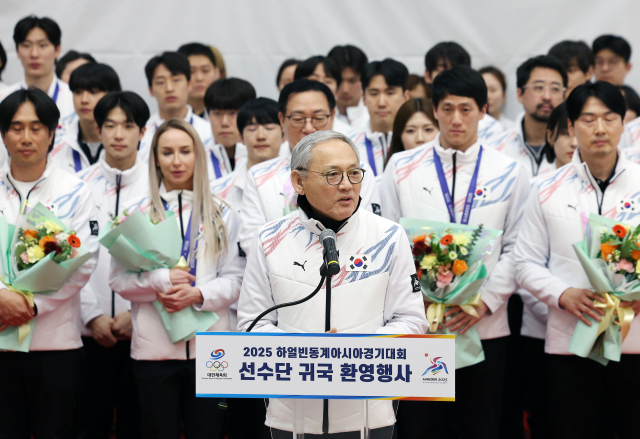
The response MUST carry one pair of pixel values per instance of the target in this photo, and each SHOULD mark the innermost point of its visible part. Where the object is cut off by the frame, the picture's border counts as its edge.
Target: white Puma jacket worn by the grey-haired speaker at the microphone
(378, 300)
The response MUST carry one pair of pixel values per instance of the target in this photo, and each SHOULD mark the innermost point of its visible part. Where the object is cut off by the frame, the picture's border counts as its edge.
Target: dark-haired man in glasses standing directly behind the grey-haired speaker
(268, 193)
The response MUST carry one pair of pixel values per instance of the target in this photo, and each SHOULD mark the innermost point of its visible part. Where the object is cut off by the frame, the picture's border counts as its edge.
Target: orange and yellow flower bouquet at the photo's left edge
(41, 258)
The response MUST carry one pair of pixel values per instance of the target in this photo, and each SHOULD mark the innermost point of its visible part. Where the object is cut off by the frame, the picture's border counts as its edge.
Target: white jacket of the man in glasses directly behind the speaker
(264, 200)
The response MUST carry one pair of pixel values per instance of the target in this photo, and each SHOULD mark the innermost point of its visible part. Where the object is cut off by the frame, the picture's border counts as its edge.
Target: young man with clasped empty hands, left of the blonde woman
(119, 184)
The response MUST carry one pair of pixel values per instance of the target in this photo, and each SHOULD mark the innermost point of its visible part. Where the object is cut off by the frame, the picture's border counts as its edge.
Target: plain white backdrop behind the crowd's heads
(255, 36)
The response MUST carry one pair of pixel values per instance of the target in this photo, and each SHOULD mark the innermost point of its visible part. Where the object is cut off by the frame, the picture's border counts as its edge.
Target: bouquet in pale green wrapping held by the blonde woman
(140, 245)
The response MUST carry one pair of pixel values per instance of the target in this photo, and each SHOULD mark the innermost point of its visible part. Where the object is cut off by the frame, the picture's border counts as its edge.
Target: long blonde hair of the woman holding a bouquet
(206, 209)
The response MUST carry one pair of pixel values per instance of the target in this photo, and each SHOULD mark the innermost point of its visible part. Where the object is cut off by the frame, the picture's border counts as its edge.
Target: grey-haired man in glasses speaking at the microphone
(375, 290)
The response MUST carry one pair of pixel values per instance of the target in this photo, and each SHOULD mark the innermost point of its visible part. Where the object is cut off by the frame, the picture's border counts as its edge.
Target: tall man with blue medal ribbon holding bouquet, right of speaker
(488, 188)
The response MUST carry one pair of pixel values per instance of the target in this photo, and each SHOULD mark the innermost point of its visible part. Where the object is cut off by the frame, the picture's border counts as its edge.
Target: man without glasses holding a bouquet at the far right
(599, 181)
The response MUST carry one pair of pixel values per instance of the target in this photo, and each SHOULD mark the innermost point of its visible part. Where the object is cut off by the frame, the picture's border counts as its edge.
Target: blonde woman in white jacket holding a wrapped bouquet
(165, 371)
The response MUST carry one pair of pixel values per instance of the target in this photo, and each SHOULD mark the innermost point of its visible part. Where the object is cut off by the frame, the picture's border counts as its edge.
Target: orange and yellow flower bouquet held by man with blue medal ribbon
(449, 260)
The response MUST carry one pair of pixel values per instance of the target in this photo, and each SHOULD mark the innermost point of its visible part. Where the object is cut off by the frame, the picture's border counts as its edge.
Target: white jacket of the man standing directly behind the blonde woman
(217, 159)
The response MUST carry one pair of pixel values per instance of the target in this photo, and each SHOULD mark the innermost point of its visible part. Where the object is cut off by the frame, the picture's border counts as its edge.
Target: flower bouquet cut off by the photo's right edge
(609, 254)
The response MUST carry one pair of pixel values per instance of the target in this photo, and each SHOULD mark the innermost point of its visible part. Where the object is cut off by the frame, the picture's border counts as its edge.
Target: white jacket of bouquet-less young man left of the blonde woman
(110, 186)
